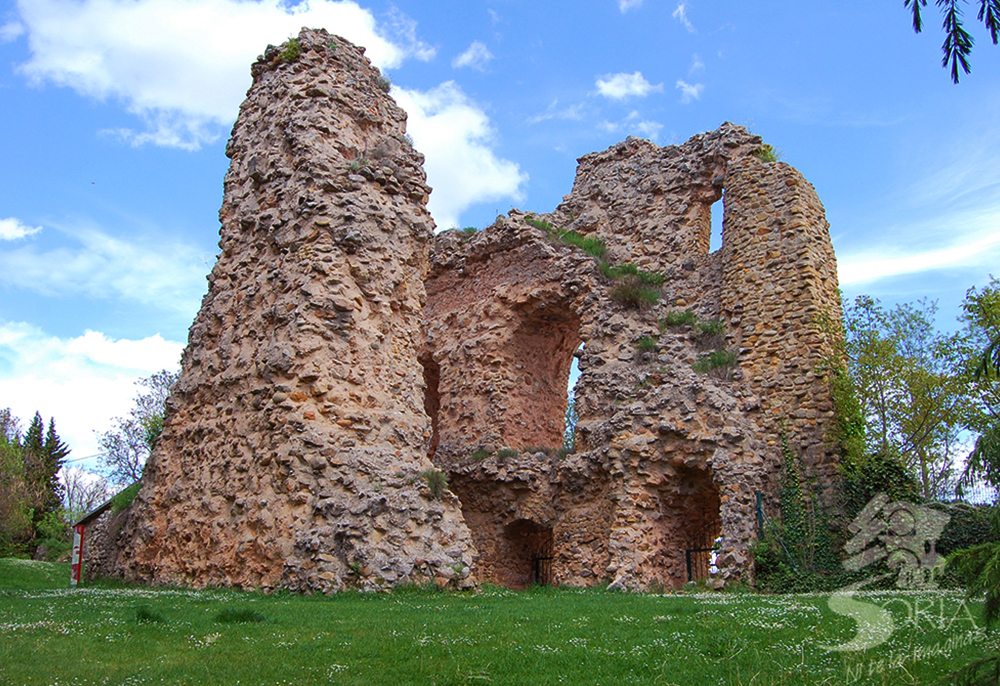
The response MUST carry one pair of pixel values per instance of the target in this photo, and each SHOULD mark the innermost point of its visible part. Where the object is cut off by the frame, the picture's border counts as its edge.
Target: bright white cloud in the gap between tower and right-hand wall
(455, 135)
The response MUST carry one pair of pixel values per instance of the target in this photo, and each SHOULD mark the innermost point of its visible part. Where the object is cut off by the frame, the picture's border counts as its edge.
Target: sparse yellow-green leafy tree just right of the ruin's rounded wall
(912, 387)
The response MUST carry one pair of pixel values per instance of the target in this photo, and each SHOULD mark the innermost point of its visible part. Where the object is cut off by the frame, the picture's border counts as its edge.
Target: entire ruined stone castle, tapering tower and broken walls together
(342, 349)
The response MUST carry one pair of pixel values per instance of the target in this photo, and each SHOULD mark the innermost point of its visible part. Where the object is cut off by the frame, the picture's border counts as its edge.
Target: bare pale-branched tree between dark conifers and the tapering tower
(125, 447)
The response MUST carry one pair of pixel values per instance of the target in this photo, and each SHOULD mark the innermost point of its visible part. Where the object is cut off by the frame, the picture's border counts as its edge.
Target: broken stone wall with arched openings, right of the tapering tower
(667, 460)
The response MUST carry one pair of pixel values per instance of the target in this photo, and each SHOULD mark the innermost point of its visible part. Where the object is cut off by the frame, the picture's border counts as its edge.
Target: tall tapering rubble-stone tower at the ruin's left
(295, 445)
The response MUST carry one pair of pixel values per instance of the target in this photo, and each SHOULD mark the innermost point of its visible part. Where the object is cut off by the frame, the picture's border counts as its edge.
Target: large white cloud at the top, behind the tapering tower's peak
(185, 79)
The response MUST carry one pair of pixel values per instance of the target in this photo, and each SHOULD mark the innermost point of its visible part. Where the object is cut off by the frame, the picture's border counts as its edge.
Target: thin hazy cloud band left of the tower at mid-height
(157, 272)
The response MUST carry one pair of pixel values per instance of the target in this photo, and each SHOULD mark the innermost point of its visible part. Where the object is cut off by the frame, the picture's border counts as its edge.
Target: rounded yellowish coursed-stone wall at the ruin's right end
(780, 296)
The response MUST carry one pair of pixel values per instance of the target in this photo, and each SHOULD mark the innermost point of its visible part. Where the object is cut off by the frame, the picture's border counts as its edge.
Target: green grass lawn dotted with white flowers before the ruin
(113, 635)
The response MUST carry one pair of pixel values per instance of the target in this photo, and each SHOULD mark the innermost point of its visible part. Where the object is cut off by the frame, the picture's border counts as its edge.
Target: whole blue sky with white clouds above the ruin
(115, 115)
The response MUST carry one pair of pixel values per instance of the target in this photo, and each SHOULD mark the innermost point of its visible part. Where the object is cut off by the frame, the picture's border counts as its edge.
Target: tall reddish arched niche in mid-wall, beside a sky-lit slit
(542, 350)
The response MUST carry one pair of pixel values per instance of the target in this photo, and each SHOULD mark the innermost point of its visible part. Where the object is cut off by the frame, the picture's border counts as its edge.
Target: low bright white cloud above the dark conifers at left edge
(82, 382)
